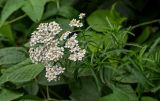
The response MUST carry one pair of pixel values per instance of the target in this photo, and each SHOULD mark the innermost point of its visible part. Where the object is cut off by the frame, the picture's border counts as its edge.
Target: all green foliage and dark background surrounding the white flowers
(121, 38)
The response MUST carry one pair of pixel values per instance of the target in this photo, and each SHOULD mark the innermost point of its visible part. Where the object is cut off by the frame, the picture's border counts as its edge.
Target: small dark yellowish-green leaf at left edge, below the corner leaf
(6, 32)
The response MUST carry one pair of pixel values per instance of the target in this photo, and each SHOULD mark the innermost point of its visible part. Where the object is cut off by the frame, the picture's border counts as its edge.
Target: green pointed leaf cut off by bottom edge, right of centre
(115, 96)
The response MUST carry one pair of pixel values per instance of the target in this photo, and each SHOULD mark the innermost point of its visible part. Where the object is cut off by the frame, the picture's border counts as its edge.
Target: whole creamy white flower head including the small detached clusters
(45, 47)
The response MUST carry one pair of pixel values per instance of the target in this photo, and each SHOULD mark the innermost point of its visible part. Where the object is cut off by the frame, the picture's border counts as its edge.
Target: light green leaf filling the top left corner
(10, 7)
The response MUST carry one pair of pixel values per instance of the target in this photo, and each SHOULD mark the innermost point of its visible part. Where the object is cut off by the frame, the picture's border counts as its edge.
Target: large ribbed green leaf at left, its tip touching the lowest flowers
(21, 74)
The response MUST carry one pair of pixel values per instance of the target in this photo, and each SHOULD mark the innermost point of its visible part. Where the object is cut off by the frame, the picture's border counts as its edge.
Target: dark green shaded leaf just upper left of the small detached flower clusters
(67, 12)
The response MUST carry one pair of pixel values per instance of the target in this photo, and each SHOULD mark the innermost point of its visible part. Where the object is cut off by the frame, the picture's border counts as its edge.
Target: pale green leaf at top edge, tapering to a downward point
(34, 9)
